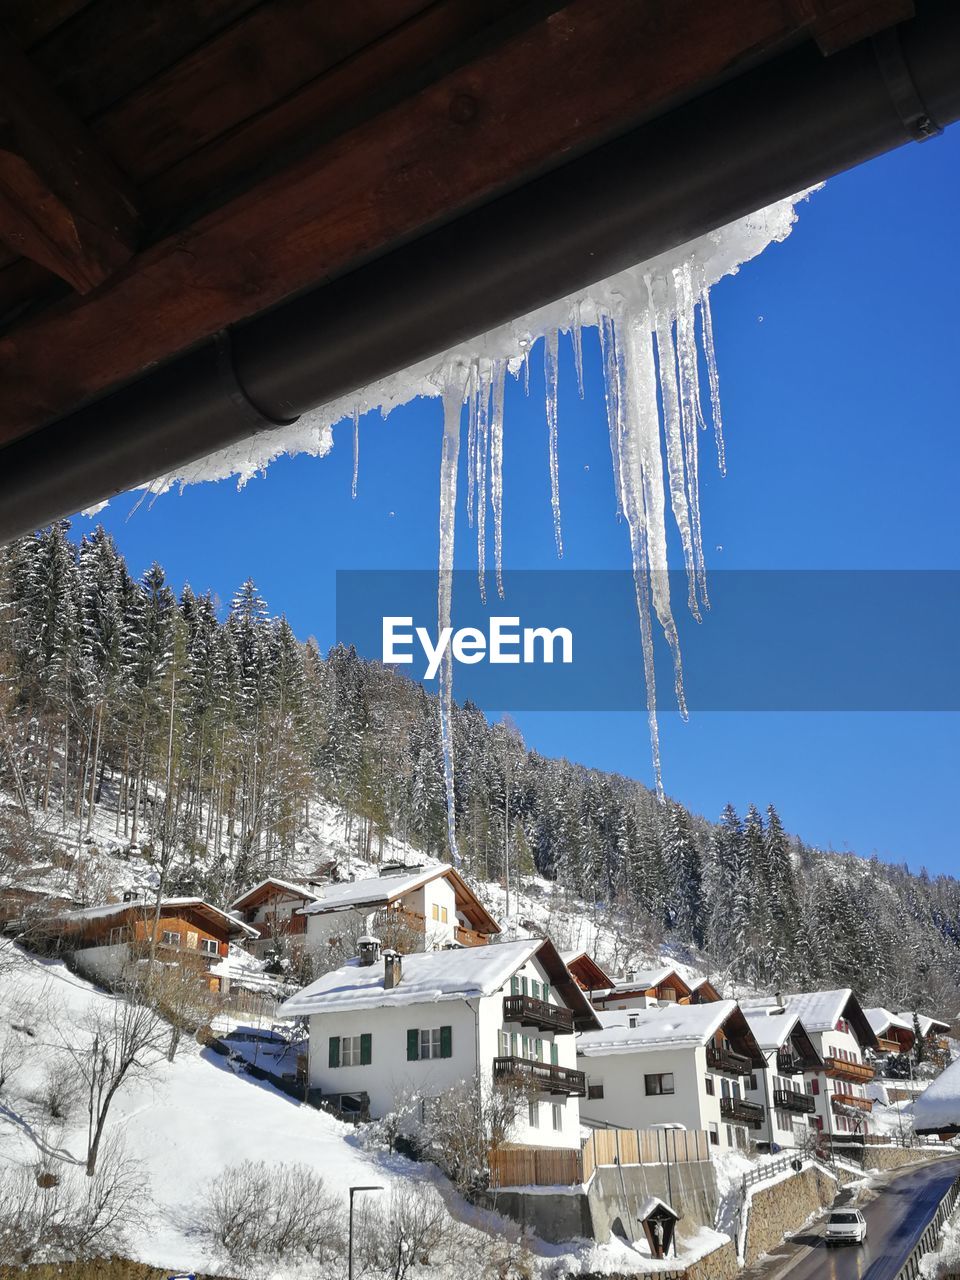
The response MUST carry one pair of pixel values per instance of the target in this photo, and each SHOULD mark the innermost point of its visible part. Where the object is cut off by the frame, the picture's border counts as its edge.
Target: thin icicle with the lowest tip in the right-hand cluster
(630, 501)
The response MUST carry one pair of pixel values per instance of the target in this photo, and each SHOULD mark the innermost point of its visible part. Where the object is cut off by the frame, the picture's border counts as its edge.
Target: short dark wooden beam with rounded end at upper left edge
(62, 204)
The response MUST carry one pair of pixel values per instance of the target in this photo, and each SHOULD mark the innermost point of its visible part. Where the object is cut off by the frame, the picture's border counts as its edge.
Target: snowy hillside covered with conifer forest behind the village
(208, 753)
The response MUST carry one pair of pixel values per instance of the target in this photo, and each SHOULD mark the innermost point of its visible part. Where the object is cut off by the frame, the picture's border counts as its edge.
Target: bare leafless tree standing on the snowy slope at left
(127, 1039)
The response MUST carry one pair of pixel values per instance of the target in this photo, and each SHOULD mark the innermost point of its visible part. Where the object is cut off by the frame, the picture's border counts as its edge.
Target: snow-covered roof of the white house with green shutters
(435, 976)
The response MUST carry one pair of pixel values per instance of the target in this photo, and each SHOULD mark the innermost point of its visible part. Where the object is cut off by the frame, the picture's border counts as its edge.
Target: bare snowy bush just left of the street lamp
(259, 1213)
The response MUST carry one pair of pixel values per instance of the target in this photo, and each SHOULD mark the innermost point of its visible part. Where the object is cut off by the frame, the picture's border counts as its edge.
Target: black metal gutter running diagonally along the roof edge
(771, 132)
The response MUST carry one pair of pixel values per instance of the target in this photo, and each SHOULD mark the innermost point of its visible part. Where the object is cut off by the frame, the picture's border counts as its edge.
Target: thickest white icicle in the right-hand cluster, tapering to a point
(642, 464)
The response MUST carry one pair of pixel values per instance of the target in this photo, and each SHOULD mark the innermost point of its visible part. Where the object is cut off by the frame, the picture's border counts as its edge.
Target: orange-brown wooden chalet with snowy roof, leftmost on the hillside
(106, 940)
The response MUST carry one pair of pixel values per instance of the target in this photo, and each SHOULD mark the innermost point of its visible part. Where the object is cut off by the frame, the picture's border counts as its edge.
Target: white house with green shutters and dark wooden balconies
(386, 1027)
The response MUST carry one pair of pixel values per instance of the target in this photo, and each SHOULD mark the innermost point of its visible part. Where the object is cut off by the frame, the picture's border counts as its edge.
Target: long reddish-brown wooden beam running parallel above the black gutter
(570, 83)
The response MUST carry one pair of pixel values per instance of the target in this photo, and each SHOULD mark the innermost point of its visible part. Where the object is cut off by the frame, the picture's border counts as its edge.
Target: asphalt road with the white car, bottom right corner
(895, 1222)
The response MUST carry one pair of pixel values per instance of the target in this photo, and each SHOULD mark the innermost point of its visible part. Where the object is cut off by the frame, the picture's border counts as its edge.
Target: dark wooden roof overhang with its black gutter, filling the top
(218, 214)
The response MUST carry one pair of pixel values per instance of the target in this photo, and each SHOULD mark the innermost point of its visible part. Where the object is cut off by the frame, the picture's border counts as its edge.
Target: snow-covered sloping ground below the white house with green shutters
(184, 1123)
